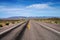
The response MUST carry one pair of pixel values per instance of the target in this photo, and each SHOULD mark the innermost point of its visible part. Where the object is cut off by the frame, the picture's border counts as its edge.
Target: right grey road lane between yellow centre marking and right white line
(37, 32)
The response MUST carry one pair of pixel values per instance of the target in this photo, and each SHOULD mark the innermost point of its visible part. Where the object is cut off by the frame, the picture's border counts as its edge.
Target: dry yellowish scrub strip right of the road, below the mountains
(50, 20)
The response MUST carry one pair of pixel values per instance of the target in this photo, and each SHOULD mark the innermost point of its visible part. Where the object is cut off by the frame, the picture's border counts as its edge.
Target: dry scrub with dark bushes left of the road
(9, 22)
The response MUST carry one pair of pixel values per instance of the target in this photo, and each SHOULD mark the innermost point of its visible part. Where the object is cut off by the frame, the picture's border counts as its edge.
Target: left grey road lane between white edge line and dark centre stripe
(11, 35)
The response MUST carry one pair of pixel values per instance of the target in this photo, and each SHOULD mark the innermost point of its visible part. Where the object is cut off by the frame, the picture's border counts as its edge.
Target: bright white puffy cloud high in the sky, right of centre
(39, 6)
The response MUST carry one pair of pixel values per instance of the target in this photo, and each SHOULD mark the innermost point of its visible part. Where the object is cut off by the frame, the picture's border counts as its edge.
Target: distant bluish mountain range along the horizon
(22, 17)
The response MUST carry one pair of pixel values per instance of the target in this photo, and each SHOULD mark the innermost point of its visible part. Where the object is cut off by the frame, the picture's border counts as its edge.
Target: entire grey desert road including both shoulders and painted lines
(33, 30)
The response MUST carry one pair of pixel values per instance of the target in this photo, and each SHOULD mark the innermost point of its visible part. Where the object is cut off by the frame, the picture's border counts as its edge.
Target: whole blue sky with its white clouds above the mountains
(28, 8)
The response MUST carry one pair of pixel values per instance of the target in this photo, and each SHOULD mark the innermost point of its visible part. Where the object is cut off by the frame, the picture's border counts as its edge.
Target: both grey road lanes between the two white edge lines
(34, 31)
